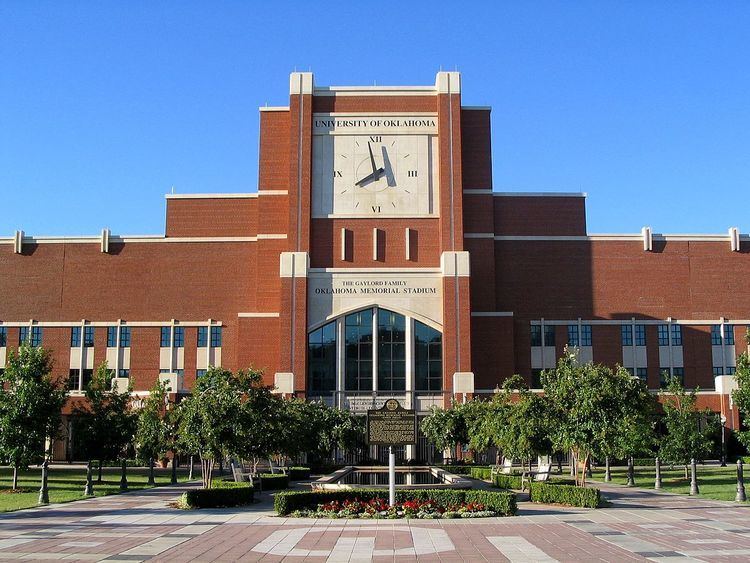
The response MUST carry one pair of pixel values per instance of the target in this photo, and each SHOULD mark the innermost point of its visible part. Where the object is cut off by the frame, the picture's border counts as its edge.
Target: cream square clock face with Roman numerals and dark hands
(376, 173)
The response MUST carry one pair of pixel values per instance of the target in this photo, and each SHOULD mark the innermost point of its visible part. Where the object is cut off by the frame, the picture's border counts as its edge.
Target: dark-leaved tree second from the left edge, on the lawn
(105, 424)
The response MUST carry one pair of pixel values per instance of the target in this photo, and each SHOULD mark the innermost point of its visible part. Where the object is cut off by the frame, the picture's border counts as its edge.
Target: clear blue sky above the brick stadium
(104, 106)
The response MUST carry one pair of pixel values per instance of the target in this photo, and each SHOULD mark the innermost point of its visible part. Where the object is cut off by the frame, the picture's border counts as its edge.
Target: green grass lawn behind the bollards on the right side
(714, 482)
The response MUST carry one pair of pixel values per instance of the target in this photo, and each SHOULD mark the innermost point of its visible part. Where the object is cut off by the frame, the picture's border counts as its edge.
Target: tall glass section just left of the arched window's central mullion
(358, 355)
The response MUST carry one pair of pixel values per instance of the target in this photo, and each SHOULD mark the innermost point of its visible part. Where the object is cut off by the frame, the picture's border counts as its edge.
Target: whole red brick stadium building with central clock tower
(375, 260)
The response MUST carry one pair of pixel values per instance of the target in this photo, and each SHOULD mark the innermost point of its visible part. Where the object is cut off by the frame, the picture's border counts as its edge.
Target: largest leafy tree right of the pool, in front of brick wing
(589, 406)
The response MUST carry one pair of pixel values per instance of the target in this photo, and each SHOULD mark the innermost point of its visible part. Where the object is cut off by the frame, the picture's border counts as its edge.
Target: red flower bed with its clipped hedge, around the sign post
(368, 503)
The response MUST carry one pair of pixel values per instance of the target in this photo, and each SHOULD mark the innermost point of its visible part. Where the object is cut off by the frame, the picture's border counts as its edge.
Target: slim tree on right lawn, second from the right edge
(689, 431)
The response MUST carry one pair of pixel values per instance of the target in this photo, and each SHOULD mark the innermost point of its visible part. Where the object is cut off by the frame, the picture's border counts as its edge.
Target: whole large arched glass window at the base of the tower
(374, 353)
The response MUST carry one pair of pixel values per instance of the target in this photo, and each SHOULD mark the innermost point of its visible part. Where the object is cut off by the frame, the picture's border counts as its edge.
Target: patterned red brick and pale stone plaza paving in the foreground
(139, 526)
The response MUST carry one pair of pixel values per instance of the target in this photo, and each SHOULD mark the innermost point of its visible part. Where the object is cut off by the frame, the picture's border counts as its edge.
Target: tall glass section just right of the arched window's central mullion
(391, 351)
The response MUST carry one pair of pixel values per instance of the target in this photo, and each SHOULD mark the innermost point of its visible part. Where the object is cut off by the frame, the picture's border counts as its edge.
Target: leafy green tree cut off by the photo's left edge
(30, 407)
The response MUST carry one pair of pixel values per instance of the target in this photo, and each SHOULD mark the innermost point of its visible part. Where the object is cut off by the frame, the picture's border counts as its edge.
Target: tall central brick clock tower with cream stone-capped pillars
(374, 291)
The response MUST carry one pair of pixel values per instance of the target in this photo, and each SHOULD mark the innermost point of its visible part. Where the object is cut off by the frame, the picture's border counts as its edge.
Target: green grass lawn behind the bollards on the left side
(66, 484)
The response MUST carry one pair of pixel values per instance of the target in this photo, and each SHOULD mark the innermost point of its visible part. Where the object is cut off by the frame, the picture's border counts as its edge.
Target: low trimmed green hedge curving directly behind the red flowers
(502, 502)
